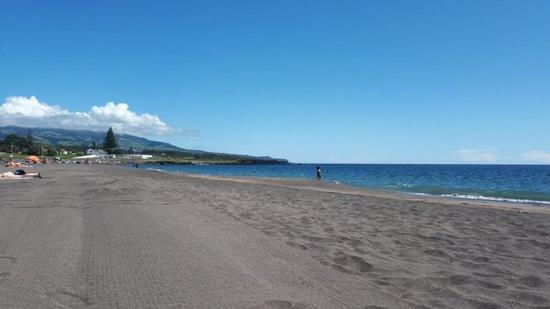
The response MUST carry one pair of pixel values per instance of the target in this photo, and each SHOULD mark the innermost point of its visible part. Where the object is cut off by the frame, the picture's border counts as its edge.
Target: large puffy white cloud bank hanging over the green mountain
(31, 112)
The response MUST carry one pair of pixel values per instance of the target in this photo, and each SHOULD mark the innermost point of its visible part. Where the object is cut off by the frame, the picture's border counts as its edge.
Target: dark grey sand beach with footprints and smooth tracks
(91, 236)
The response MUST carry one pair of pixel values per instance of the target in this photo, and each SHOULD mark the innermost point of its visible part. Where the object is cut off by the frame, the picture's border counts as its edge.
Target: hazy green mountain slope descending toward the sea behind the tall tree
(84, 139)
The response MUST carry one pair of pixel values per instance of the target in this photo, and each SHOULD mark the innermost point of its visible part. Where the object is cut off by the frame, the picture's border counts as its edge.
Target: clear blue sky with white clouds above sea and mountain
(311, 81)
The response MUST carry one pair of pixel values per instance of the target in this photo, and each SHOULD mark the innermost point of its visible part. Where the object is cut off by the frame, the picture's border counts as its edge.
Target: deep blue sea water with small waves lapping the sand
(513, 183)
